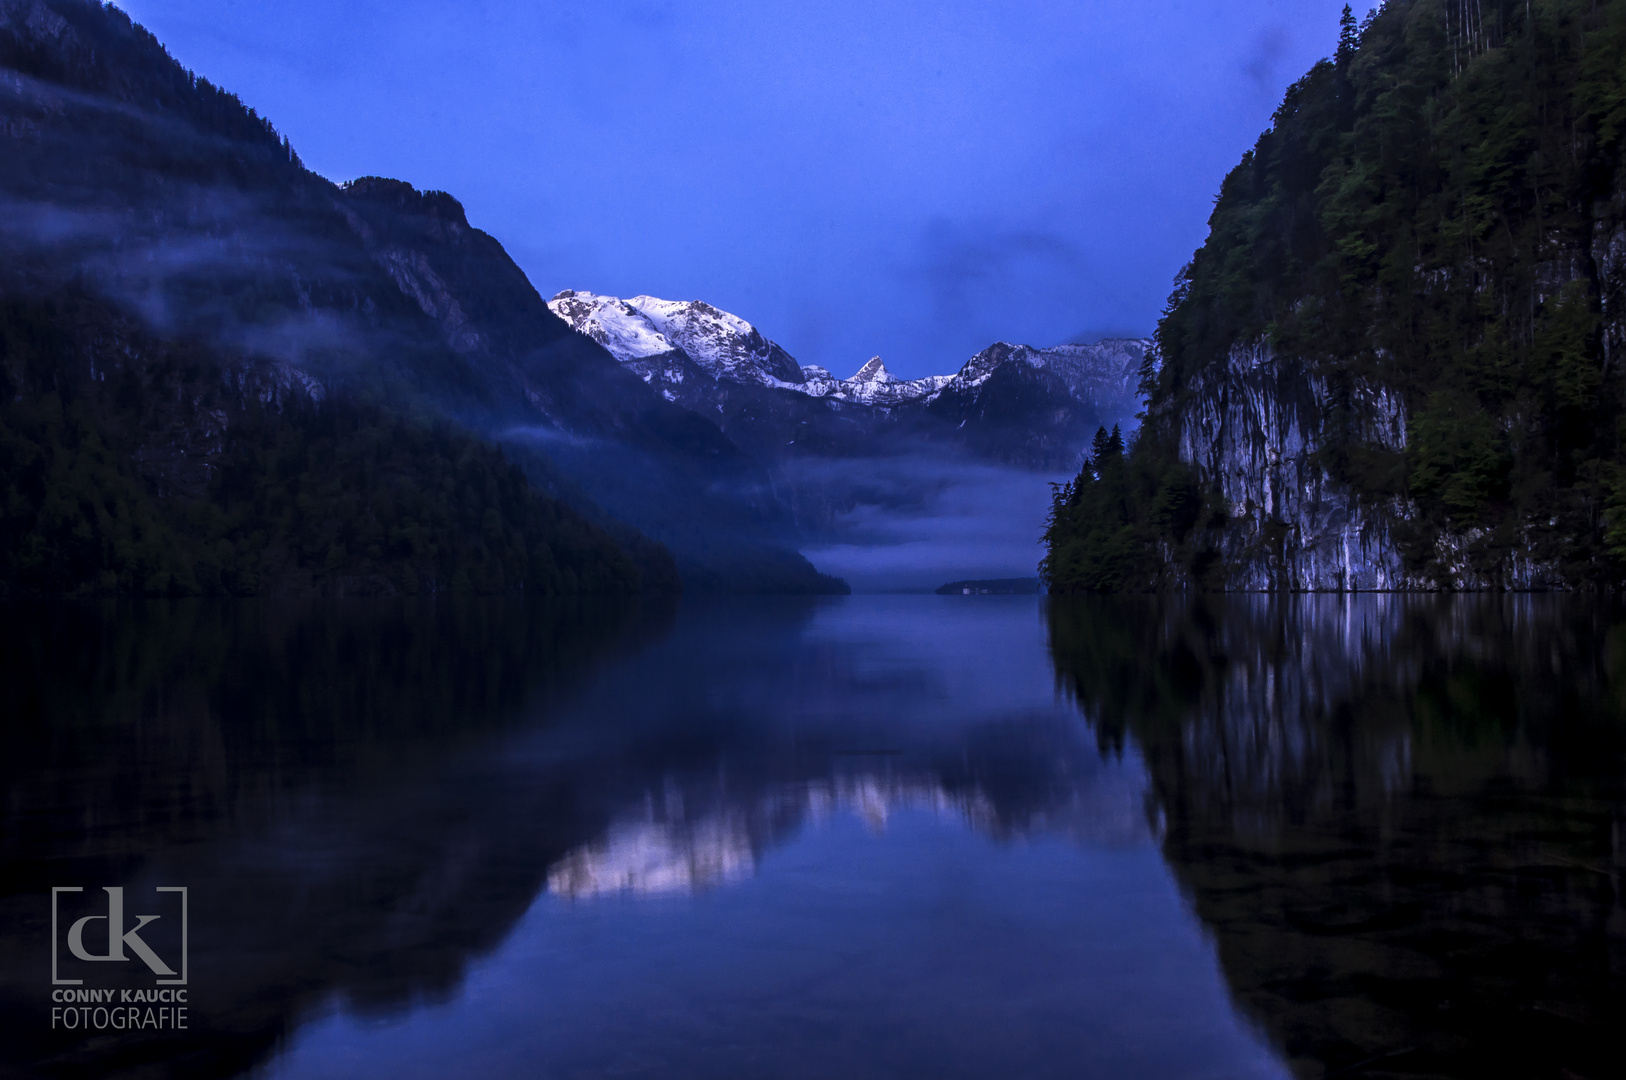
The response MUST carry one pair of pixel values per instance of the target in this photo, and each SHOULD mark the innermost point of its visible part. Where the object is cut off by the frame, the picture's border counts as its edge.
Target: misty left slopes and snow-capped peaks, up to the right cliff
(227, 375)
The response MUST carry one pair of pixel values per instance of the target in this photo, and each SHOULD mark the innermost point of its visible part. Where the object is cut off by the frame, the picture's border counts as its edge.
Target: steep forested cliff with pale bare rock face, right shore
(1417, 282)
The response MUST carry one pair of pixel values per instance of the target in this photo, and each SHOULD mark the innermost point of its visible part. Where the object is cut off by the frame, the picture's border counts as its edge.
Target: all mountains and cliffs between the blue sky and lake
(1393, 365)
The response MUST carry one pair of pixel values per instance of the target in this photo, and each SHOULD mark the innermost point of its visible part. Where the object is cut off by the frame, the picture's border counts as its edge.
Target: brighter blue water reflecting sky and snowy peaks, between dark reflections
(851, 838)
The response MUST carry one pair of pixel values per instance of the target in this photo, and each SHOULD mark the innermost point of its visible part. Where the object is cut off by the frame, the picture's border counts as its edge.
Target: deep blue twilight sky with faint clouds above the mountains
(911, 180)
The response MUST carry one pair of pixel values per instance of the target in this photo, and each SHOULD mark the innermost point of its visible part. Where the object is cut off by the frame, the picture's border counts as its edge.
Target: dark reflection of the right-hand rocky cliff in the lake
(1402, 817)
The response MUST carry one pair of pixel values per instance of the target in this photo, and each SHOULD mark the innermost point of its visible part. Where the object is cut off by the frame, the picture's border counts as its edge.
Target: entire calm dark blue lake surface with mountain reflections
(866, 837)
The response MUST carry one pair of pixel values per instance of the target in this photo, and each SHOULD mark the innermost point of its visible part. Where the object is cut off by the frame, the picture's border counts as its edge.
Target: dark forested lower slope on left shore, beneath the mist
(134, 466)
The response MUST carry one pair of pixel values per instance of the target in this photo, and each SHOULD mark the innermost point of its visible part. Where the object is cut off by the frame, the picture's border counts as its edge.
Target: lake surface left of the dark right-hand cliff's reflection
(798, 838)
